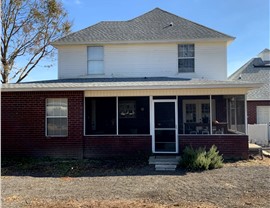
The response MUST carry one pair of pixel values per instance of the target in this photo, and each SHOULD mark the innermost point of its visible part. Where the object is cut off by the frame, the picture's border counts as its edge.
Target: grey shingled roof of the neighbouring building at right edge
(256, 70)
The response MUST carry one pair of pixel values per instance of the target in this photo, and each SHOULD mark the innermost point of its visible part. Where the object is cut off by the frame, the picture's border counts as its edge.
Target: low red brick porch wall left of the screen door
(108, 146)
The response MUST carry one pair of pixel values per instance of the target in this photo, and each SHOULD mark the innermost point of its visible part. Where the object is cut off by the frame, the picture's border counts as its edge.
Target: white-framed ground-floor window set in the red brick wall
(56, 117)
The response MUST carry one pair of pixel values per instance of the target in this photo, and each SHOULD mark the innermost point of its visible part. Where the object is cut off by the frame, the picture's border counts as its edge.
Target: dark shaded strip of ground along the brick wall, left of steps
(48, 167)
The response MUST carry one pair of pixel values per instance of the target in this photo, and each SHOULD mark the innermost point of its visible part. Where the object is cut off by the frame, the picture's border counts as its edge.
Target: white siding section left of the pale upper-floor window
(72, 61)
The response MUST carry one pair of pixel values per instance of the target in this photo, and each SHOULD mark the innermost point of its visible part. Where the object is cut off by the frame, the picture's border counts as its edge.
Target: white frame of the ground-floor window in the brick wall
(55, 116)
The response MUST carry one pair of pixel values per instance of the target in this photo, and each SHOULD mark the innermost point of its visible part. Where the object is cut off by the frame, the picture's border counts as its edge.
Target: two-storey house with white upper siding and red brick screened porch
(152, 84)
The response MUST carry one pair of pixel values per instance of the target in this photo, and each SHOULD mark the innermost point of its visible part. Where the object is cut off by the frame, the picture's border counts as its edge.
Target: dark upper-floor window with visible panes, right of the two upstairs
(186, 55)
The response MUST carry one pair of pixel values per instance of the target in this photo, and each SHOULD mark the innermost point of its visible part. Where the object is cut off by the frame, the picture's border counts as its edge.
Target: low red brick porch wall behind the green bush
(231, 146)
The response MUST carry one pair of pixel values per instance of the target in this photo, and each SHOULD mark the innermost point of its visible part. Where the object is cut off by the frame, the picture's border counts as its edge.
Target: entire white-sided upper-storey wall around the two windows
(145, 60)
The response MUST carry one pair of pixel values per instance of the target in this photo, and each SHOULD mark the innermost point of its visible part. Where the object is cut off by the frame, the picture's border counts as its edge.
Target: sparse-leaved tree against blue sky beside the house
(28, 28)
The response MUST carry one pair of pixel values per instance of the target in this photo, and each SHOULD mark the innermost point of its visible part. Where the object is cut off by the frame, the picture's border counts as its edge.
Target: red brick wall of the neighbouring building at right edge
(252, 110)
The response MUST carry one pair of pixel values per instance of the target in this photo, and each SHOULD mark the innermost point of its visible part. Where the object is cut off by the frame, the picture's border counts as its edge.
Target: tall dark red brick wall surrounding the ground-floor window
(23, 125)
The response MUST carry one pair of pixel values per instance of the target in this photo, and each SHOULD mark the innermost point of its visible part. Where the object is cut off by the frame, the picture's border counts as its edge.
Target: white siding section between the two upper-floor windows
(141, 60)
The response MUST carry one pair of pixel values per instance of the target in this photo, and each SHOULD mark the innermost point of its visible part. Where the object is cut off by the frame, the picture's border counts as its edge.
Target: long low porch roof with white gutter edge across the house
(124, 83)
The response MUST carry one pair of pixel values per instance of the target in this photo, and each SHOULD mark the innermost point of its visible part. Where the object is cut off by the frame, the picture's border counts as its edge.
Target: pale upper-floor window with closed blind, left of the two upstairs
(95, 59)
